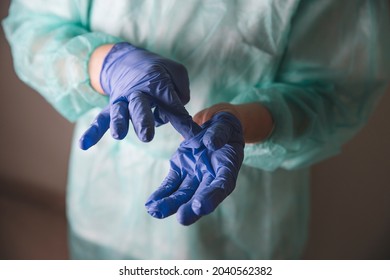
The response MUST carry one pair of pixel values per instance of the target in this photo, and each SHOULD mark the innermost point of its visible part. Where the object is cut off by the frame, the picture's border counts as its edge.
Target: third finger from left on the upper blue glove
(141, 116)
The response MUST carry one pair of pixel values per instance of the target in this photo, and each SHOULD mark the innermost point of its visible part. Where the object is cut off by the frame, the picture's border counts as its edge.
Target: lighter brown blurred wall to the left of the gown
(34, 147)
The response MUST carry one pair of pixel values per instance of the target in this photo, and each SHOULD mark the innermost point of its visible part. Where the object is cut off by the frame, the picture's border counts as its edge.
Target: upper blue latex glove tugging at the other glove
(138, 81)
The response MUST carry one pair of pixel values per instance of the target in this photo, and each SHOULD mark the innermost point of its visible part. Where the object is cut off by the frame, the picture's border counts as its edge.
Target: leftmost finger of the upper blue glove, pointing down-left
(96, 131)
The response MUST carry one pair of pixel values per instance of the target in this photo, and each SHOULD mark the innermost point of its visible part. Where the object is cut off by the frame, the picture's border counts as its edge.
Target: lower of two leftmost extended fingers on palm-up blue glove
(168, 205)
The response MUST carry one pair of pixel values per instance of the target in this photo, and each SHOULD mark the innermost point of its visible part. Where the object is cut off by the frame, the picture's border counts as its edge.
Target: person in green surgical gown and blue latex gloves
(294, 80)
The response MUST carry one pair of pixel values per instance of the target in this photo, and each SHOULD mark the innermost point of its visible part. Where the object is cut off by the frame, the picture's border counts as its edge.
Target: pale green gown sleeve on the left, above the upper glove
(51, 44)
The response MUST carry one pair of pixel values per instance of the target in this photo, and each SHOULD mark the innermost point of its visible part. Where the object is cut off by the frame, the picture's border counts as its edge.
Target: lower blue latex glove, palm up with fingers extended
(203, 171)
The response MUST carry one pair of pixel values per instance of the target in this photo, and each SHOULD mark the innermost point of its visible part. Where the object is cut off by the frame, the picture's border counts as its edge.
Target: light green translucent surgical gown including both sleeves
(319, 66)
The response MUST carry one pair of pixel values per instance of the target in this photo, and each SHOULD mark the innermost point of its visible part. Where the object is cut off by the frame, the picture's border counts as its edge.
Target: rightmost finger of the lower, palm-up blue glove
(213, 193)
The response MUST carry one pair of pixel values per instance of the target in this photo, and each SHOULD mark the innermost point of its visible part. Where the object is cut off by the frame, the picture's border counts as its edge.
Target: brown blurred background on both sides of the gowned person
(350, 216)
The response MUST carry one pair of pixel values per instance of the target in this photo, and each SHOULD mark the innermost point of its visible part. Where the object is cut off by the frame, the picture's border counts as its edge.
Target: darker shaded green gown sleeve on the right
(335, 67)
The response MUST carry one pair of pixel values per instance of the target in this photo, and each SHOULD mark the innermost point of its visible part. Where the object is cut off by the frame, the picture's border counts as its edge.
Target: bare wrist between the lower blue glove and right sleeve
(255, 119)
